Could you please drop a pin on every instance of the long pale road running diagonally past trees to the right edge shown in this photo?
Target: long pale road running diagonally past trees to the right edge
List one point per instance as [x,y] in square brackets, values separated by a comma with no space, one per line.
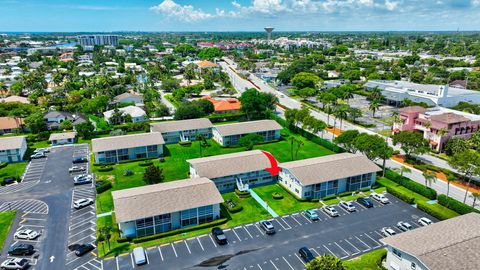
[440,186]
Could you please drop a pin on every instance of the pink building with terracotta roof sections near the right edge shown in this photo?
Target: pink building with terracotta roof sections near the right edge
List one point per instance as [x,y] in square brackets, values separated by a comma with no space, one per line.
[437,124]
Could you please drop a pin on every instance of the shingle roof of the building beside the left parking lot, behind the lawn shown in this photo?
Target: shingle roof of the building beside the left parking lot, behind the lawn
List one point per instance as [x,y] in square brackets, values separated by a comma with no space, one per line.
[126,141]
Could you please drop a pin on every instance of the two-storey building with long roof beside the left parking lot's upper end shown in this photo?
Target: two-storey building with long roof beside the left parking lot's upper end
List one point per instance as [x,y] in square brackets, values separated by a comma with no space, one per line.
[127,147]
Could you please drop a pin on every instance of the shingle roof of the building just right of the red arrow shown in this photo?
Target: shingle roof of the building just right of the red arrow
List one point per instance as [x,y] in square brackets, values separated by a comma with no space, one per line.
[322,169]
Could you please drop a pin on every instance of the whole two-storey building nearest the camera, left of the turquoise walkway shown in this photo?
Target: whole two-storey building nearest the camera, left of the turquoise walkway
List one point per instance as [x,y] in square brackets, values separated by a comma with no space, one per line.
[168,206]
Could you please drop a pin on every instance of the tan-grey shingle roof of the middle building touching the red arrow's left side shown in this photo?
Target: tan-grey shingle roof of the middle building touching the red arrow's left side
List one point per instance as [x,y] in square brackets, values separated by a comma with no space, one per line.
[230,164]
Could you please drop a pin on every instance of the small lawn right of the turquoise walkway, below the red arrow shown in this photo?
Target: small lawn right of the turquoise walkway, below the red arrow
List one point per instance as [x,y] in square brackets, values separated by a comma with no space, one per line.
[288,204]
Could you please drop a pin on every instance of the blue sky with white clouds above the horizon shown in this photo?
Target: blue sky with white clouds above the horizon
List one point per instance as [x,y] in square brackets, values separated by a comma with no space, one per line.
[238,15]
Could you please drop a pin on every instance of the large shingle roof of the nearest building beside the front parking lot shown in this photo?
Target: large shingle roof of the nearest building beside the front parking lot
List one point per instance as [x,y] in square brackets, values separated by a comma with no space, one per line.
[147,201]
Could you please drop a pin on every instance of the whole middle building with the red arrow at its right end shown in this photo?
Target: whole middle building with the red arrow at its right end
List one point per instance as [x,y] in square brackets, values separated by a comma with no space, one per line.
[236,170]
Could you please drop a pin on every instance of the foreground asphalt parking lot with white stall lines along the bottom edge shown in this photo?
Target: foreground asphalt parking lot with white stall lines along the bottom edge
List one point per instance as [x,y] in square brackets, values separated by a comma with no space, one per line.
[346,236]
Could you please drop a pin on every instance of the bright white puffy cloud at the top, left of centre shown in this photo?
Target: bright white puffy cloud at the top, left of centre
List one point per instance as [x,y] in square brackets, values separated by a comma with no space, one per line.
[185,13]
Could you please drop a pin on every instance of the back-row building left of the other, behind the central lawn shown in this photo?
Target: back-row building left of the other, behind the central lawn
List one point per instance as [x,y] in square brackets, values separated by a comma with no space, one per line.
[183,130]
